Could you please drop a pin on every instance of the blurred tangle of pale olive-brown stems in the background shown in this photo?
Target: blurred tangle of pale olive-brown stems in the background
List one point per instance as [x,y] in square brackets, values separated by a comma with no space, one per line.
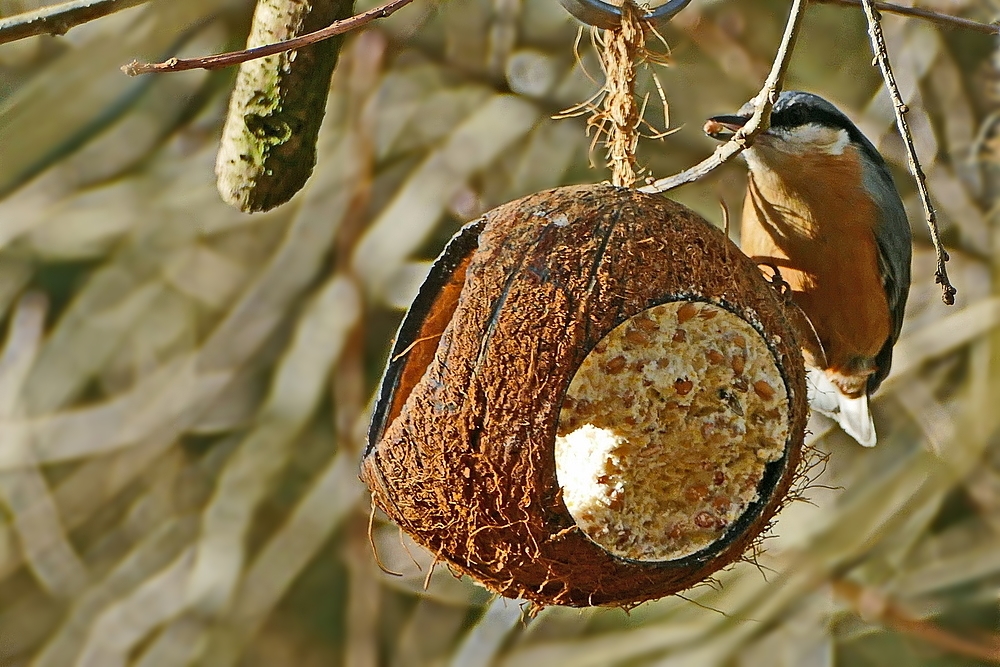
[184,389]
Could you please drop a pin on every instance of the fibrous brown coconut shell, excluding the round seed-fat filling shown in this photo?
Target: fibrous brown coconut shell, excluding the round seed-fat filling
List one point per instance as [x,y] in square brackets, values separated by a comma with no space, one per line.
[462,453]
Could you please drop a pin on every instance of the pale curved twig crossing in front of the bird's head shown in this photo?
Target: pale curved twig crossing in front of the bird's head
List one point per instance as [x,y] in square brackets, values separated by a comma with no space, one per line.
[759,121]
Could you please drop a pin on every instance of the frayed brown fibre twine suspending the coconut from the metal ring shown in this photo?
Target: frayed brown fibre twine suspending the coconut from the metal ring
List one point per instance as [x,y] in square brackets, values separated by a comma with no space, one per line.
[622,48]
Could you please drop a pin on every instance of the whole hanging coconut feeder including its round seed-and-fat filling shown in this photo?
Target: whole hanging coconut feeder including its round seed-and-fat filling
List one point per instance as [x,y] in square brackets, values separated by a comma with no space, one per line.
[595,399]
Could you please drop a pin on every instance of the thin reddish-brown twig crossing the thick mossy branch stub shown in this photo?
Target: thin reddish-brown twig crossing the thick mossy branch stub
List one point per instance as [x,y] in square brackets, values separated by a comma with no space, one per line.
[221,60]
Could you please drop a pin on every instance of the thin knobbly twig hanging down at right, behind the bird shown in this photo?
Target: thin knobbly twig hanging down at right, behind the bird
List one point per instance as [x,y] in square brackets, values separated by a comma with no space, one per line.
[882,56]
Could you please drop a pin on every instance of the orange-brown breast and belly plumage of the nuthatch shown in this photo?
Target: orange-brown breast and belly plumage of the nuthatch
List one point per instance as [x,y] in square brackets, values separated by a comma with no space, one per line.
[812,220]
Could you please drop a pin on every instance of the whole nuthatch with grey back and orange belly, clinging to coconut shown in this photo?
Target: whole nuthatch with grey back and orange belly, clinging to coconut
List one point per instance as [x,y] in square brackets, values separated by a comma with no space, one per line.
[822,210]
